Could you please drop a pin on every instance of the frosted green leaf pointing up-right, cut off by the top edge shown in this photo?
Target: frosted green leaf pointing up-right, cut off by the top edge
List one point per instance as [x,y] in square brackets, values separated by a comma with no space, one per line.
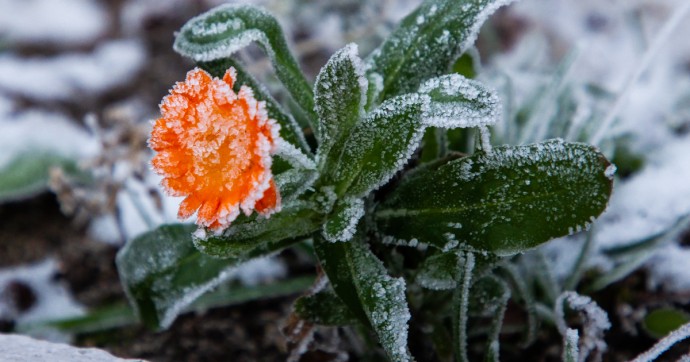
[427,42]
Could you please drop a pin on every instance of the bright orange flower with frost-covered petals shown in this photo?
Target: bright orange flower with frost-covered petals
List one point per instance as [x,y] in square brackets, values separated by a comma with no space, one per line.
[214,147]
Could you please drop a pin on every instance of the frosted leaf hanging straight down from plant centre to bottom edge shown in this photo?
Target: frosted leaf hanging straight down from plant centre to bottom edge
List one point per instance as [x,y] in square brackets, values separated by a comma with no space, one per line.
[361,281]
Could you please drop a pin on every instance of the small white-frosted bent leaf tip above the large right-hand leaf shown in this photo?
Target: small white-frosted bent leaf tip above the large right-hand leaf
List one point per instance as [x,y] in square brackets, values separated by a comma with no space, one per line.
[459,102]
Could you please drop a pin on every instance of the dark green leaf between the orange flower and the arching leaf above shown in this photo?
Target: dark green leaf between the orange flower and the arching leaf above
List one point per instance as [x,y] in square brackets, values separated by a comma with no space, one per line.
[289,129]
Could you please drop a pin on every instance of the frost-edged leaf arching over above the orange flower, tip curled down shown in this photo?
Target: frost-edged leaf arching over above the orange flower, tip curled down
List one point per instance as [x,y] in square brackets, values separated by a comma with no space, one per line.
[222,31]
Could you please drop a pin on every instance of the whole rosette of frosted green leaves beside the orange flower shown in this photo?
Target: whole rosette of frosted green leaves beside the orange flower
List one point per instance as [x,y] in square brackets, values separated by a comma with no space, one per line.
[397,220]
